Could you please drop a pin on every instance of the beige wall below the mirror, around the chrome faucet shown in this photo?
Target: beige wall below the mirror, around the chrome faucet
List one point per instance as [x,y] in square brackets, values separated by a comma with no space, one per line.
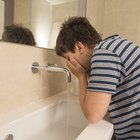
[18,85]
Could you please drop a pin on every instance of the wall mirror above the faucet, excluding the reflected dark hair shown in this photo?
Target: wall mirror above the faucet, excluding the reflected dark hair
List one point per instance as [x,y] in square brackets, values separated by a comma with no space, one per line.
[42,17]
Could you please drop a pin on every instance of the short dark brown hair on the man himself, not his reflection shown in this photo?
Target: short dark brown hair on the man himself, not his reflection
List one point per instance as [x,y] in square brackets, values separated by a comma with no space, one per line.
[73,30]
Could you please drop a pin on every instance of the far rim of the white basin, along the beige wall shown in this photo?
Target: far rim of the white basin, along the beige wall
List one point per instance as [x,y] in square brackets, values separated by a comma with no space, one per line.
[33,108]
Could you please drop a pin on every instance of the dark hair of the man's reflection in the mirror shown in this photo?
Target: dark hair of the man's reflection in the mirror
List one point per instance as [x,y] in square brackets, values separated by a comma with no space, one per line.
[18,34]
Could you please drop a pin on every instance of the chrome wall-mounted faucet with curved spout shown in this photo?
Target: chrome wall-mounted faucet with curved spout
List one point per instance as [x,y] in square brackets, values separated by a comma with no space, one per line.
[51,68]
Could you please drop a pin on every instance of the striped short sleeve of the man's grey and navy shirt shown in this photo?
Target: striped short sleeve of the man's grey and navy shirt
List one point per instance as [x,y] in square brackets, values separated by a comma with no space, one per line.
[105,72]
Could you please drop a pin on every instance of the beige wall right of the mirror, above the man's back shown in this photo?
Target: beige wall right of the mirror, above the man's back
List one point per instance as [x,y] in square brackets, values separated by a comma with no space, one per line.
[116,17]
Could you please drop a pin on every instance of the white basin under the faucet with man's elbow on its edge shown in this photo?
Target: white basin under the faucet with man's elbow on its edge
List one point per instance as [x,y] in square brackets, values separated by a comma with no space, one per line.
[56,118]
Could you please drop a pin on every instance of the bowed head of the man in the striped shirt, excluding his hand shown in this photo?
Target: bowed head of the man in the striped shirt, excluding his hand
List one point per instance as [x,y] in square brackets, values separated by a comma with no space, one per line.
[76,39]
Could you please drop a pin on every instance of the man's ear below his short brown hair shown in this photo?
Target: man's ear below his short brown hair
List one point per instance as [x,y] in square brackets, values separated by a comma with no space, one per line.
[79,47]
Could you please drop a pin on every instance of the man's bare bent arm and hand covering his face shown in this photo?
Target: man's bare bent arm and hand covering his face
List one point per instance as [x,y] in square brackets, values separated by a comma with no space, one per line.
[94,104]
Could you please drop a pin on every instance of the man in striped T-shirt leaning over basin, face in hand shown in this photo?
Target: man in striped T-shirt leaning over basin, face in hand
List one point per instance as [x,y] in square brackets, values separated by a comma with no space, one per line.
[109,75]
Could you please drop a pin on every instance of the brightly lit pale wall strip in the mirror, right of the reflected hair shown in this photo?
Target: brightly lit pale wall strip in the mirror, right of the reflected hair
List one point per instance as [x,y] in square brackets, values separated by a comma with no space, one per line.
[41,22]
